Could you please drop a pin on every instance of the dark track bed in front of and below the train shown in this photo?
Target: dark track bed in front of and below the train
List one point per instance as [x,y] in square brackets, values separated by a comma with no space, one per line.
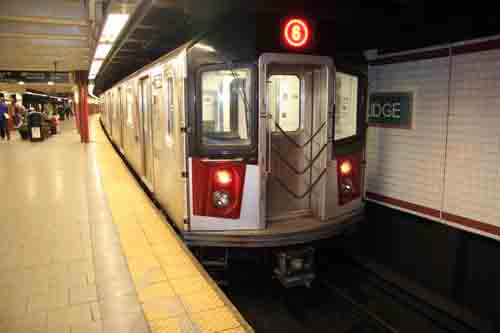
[345,298]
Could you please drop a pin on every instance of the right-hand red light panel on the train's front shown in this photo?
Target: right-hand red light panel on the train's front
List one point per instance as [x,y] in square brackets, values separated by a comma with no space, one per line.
[349,178]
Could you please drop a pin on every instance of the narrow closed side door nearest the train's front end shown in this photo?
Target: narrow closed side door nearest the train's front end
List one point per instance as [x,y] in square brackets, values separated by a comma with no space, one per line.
[147,133]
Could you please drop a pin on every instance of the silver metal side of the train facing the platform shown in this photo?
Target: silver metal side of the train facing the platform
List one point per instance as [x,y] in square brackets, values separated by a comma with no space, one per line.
[122,117]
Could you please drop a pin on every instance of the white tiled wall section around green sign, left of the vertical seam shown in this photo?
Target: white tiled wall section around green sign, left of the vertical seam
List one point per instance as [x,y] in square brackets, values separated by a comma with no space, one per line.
[408,164]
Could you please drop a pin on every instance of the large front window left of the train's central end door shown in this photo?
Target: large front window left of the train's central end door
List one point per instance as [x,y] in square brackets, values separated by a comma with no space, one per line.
[225,107]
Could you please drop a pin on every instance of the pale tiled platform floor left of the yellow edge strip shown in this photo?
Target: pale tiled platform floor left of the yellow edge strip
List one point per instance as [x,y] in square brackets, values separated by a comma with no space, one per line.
[60,268]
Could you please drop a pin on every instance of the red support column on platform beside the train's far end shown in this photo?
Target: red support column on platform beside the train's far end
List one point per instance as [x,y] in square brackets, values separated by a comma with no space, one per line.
[81,107]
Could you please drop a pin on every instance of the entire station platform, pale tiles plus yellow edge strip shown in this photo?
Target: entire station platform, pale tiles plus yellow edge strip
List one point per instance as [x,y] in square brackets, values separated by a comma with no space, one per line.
[84,249]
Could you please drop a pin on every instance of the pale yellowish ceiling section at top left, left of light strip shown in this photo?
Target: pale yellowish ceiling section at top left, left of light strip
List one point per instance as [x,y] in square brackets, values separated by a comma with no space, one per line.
[34,34]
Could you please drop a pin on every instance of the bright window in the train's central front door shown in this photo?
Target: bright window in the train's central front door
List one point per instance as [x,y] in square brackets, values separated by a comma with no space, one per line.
[284,102]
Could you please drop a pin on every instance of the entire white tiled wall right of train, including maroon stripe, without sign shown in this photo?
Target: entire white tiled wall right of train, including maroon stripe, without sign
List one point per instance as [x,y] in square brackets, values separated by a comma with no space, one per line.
[446,166]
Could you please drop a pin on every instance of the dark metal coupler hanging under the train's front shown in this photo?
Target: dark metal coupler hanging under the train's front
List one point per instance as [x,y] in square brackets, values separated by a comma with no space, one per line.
[295,266]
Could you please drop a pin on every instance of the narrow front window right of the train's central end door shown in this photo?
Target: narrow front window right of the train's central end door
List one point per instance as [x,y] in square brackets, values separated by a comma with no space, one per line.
[346,96]
